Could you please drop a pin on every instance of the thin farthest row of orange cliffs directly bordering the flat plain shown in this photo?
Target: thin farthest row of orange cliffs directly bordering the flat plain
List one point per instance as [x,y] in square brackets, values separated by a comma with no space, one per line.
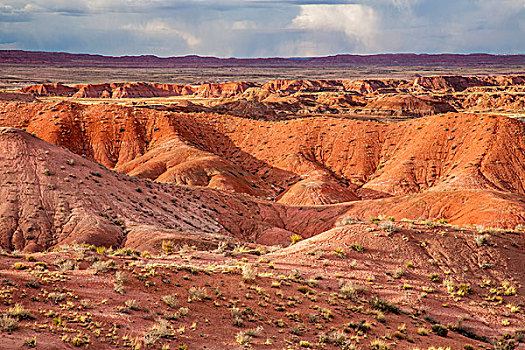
[251,90]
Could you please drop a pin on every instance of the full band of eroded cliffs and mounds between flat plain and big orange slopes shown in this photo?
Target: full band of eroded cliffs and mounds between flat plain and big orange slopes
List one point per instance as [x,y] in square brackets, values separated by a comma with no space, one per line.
[282,99]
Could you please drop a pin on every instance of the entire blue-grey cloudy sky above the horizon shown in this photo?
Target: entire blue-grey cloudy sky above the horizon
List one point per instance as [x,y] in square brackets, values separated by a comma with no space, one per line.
[263,28]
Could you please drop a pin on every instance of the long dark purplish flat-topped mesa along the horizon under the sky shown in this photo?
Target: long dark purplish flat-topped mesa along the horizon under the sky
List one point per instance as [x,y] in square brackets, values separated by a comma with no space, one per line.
[76,60]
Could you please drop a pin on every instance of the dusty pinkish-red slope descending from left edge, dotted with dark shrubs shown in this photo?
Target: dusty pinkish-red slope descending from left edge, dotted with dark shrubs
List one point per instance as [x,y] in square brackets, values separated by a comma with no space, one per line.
[53,196]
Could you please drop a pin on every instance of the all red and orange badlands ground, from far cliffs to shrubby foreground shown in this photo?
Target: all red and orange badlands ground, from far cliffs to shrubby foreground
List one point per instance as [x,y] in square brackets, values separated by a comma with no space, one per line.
[153,179]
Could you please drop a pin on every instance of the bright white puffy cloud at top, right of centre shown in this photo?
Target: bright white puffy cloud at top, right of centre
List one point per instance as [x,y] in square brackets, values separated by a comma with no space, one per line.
[357,22]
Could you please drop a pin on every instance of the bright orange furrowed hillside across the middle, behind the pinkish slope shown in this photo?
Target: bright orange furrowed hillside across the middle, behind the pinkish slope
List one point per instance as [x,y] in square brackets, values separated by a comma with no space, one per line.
[429,156]
